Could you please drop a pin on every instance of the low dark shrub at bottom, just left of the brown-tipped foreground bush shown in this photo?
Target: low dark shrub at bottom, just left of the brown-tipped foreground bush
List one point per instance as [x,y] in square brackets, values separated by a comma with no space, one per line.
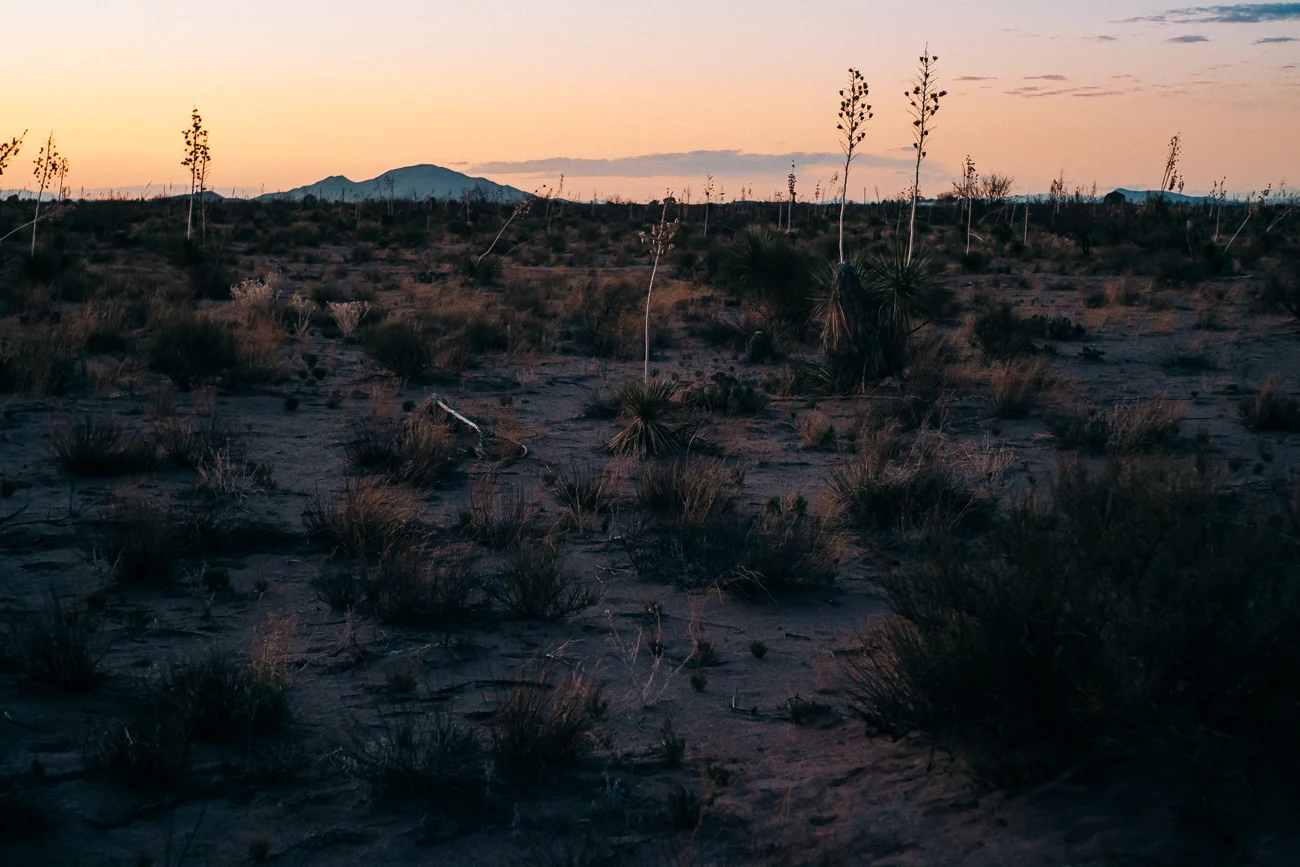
[427,756]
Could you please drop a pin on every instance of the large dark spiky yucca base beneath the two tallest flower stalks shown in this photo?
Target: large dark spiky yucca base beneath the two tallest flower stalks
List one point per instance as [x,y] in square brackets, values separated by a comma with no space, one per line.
[872,309]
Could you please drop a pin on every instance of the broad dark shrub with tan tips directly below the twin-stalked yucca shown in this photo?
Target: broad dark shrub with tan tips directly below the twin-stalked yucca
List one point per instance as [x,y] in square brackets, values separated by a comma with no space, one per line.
[921,488]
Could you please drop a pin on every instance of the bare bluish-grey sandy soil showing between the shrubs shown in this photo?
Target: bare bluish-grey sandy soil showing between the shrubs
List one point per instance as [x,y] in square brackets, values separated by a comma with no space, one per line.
[777,792]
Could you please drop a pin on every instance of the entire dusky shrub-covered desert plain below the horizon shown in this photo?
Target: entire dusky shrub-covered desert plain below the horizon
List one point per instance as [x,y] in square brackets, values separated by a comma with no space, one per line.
[327,541]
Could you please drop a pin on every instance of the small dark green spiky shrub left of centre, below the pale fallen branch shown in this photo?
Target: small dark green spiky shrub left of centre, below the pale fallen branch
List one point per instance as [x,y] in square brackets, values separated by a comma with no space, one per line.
[532,583]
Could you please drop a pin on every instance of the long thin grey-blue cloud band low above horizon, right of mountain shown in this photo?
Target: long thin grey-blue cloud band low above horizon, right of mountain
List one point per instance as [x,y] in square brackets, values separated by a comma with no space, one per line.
[651,166]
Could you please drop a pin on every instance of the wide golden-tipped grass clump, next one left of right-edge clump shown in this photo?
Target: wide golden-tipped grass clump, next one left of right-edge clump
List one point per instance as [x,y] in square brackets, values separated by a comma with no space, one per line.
[1126,430]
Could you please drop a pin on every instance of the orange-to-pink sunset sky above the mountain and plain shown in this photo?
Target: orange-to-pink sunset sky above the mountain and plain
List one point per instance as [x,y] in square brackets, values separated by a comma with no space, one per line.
[632,98]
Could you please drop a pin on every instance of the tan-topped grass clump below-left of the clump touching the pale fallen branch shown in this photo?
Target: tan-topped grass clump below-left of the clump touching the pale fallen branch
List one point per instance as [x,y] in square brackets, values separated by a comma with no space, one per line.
[365,519]
